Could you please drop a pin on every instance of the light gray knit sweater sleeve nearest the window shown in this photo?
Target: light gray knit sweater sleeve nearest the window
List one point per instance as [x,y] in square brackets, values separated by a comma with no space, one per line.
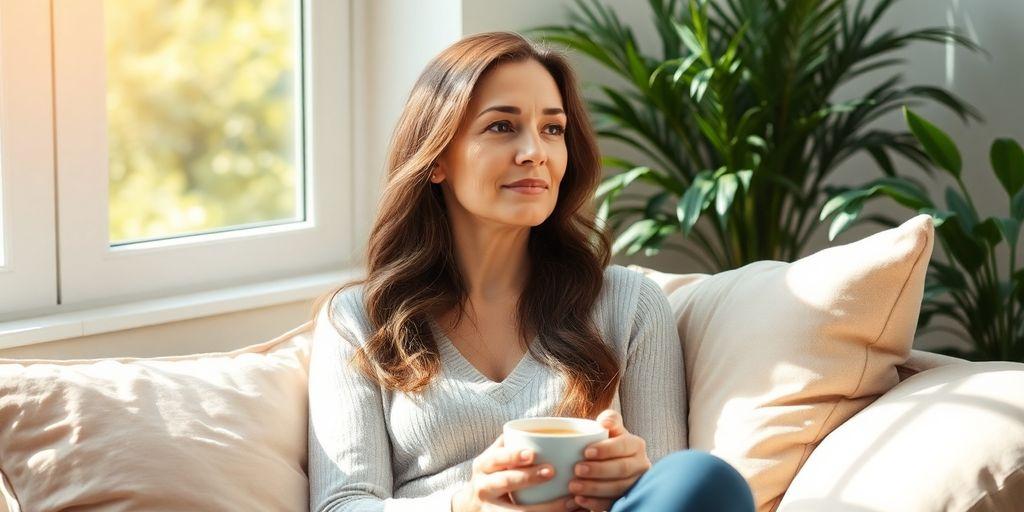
[350,452]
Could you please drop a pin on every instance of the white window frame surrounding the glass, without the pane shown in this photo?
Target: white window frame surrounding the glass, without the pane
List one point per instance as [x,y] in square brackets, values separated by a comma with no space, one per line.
[93,274]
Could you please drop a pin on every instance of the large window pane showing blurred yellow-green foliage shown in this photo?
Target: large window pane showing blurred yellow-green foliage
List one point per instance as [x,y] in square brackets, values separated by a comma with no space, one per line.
[204,116]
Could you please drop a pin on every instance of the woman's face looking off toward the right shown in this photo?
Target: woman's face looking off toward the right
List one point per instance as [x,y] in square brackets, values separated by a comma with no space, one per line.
[508,158]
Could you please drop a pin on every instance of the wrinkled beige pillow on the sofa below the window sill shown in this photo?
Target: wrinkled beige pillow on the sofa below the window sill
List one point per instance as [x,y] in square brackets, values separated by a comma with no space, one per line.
[215,432]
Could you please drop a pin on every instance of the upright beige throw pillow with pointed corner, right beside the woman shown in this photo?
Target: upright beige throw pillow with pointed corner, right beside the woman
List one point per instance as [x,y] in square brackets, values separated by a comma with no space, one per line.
[780,355]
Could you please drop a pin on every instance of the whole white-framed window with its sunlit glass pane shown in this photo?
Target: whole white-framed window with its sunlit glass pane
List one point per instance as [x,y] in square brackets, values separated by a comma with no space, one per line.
[193,145]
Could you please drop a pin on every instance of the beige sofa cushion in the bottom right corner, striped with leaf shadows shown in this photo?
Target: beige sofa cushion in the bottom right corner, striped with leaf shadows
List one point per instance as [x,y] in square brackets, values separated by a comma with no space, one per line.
[951,439]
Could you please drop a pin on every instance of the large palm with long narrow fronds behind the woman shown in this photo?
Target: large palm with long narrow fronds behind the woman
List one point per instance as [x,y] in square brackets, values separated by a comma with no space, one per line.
[737,119]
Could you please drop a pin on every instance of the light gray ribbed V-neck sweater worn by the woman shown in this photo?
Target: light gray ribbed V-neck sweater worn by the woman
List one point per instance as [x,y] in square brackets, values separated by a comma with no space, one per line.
[373,450]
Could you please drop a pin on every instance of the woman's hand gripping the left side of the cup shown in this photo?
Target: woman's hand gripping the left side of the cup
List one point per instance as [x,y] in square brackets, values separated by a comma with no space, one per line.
[500,471]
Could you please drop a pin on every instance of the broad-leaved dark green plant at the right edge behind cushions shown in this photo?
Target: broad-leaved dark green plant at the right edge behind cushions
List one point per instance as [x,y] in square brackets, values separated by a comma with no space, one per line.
[968,288]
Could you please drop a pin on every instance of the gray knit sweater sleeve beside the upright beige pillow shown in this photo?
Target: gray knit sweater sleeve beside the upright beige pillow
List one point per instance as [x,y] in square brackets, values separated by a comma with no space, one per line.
[653,392]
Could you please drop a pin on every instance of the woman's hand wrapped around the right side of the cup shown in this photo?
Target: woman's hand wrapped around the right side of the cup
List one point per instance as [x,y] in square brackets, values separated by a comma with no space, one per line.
[612,466]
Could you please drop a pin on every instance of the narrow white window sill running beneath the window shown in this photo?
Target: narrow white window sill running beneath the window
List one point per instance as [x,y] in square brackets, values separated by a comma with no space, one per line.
[163,311]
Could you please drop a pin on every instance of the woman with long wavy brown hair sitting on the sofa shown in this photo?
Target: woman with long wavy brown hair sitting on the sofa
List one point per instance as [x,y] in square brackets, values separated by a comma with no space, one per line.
[489,297]
